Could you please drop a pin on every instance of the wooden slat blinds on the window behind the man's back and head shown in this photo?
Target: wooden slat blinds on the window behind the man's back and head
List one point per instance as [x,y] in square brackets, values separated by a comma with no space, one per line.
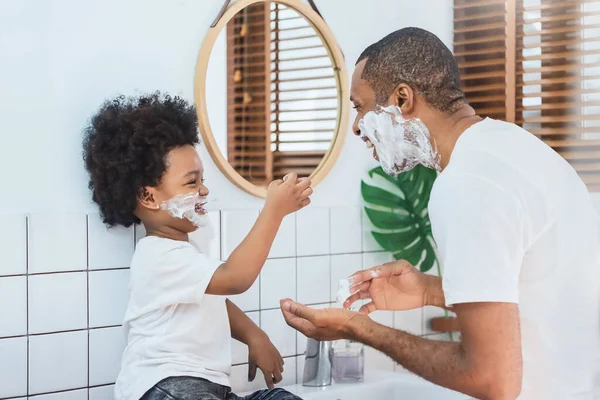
[536,63]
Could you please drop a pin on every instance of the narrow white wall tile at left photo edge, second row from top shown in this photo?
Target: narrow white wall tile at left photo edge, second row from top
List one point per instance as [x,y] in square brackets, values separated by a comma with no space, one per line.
[13,295]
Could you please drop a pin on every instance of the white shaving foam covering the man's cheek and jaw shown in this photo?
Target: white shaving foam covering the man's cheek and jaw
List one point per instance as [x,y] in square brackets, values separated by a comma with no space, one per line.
[400,143]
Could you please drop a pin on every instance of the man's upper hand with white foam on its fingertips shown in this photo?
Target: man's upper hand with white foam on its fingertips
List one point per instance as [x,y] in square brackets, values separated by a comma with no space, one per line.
[394,286]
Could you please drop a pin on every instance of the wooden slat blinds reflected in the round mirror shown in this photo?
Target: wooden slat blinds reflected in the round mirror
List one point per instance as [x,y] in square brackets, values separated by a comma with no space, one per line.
[283,107]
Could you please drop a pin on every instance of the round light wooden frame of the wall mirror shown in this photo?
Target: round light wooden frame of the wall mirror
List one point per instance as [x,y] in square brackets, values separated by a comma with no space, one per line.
[339,67]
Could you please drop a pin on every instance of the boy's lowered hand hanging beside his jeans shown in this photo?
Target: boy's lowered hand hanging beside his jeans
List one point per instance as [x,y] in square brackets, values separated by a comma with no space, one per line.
[264,355]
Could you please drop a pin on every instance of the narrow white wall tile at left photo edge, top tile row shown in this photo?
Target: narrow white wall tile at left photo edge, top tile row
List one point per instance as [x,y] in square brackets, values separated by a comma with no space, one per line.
[13,245]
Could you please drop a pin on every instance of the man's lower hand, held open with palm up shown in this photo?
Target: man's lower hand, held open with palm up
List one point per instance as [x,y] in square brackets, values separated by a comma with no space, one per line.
[325,325]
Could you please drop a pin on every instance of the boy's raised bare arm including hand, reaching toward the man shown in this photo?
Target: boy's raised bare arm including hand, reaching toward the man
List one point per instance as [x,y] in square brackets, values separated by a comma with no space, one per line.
[240,271]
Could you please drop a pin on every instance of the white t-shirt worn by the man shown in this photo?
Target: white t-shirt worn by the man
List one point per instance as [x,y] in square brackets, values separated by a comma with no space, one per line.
[514,223]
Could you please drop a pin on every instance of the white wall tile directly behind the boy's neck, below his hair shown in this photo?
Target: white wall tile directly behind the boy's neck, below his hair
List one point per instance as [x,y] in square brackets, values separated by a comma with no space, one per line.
[108,247]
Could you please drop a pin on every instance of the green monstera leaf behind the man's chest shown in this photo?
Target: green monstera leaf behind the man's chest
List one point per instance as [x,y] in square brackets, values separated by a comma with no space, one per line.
[397,208]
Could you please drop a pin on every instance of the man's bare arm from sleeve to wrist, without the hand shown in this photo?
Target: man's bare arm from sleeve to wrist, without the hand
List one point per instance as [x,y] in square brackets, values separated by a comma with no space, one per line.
[486,364]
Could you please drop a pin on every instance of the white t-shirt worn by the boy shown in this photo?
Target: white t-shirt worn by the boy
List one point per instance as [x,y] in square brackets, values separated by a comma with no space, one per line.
[173,328]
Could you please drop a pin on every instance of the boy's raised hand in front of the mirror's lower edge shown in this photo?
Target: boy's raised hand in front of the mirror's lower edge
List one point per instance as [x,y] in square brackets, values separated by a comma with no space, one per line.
[288,195]
